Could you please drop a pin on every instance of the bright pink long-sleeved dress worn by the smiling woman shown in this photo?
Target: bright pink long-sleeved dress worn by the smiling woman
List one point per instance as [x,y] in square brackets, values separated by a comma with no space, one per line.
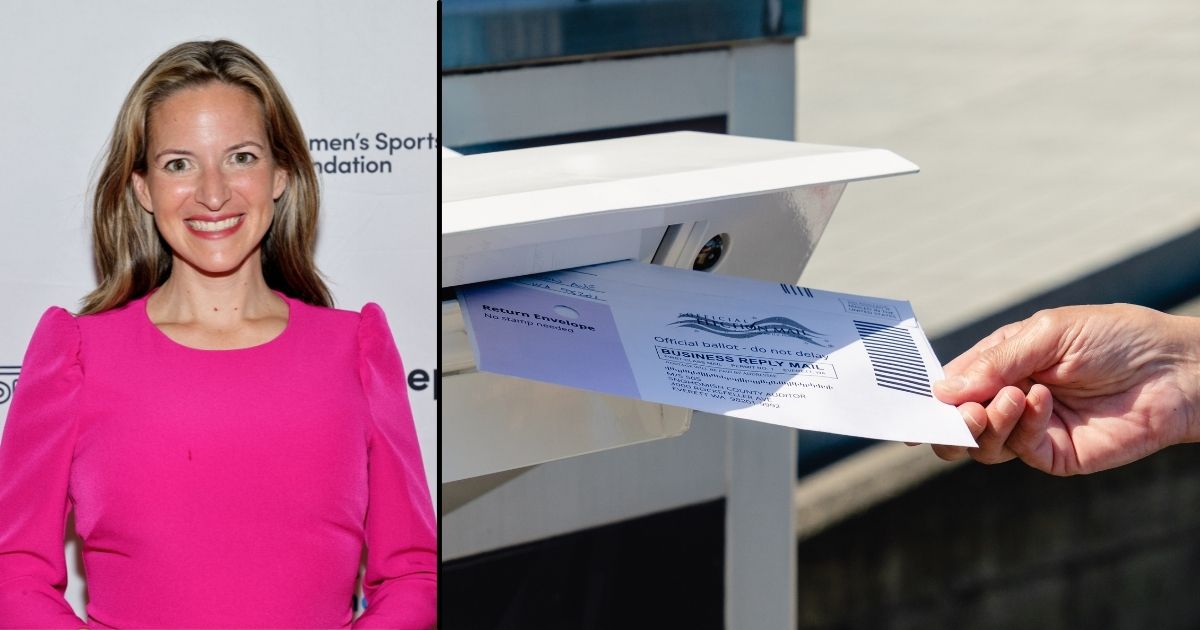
[215,489]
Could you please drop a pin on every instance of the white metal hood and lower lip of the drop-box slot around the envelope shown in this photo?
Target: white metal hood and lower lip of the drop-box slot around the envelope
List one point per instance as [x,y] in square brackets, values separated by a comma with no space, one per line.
[745,207]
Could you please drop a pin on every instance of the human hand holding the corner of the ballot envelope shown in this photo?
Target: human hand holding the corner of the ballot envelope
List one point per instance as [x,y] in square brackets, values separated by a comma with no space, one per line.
[1078,389]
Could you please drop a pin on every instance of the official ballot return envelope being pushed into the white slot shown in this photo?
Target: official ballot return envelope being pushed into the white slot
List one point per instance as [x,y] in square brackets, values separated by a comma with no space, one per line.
[775,353]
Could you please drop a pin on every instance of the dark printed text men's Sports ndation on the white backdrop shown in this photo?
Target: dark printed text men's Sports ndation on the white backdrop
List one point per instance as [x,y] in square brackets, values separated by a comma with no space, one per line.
[365,154]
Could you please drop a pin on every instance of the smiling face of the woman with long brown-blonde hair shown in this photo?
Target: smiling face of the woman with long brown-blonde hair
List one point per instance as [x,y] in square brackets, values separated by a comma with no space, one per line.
[211,178]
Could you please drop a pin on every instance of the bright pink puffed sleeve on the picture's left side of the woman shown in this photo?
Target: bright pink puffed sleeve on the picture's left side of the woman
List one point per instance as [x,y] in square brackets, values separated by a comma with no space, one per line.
[35,463]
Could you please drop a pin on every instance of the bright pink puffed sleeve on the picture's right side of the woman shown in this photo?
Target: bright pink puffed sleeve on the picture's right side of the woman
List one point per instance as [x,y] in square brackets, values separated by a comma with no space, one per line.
[401,585]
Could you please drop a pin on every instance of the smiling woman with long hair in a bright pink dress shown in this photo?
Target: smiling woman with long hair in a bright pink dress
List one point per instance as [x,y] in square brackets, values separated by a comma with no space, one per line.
[209,487]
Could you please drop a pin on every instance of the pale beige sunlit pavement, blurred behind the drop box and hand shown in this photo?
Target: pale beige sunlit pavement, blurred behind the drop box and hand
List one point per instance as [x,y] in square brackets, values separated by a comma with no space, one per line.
[1054,140]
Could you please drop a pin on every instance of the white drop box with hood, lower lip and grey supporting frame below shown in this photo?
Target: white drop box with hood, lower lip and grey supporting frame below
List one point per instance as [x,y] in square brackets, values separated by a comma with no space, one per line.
[525,461]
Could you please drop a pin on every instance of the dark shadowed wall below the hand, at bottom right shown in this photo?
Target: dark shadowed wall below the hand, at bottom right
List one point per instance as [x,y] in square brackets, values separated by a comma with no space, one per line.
[1009,548]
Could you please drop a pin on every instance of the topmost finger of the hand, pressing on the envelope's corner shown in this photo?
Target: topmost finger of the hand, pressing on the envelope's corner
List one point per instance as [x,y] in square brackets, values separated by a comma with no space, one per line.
[1031,350]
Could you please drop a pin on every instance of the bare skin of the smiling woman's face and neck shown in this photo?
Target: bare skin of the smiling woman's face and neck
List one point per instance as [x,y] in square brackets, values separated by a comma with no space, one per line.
[212,182]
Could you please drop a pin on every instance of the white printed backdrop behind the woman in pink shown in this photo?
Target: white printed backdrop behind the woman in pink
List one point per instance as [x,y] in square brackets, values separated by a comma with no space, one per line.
[363,71]
